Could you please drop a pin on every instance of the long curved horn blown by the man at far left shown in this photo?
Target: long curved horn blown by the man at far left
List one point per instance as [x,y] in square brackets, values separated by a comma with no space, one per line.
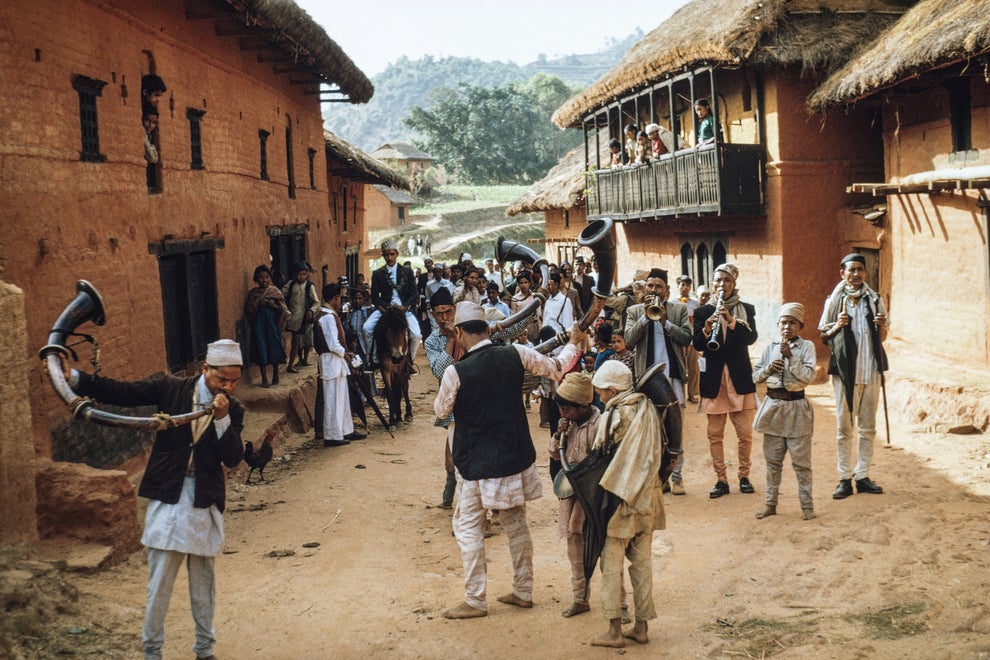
[88,306]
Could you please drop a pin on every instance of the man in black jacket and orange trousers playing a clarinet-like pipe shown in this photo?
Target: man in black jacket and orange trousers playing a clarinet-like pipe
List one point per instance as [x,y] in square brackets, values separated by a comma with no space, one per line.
[723,332]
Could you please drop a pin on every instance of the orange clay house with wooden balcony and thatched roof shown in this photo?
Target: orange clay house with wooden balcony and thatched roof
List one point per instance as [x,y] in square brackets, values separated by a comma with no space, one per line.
[769,193]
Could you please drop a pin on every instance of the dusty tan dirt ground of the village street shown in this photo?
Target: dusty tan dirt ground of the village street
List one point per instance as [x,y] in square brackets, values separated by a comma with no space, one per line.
[342,553]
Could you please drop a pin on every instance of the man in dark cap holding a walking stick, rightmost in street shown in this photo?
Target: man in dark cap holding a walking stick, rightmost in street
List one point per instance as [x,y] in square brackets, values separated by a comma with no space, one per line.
[854,325]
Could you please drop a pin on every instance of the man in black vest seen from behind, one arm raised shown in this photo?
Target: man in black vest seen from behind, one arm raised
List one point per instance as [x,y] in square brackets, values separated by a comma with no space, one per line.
[493,451]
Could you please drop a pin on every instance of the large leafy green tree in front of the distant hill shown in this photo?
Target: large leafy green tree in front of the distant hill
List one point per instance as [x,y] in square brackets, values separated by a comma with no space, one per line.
[498,134]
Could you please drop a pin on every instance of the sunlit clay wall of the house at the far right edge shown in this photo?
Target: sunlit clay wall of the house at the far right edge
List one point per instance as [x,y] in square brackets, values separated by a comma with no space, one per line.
[939,240]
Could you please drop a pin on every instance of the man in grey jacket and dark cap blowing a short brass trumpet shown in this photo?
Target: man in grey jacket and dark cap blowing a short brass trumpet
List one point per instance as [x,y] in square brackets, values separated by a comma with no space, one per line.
[658,330]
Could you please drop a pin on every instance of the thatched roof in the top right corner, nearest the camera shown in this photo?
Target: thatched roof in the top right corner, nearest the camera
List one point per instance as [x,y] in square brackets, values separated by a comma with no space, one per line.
[932,35]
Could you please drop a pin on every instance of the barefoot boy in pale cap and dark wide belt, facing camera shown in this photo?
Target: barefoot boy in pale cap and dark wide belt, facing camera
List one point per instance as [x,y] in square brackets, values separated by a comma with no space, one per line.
[785,418]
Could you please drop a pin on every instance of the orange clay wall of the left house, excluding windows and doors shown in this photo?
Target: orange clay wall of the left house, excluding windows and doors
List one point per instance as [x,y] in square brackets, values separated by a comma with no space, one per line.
[65,219]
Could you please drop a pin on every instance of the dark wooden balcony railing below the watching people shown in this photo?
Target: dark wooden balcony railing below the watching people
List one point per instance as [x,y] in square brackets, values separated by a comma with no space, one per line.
[724,180]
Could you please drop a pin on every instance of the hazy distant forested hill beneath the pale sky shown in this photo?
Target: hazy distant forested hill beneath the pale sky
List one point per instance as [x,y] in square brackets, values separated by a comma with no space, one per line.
[407,83]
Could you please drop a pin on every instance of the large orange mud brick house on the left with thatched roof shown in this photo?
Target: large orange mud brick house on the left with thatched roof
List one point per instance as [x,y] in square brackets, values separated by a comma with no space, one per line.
[168,225]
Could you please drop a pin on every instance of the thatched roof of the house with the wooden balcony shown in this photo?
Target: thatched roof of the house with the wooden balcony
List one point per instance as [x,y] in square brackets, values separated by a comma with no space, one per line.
[817,35]
